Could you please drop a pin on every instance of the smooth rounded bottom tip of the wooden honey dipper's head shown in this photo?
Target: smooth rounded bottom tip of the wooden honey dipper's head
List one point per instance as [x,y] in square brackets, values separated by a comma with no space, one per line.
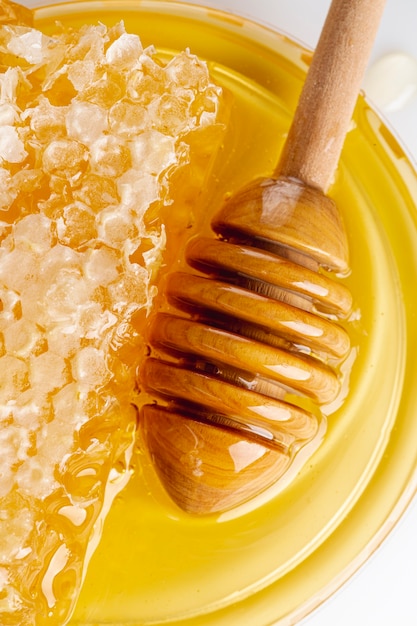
[202,472]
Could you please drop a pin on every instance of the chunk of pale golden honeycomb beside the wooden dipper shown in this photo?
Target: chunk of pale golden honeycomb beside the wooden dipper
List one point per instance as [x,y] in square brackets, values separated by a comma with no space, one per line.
[93,130]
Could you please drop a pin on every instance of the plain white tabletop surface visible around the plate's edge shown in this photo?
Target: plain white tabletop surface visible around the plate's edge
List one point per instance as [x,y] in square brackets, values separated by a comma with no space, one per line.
[383,592]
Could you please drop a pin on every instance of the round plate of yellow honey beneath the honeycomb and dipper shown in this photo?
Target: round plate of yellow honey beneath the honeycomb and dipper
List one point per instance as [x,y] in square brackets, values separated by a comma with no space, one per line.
[281,559]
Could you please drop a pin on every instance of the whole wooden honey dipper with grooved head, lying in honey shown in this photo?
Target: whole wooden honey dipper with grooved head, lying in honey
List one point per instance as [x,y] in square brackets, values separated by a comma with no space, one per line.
[254,331]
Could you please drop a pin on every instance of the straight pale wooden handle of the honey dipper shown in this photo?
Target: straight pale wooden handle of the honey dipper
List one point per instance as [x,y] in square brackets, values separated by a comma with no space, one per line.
[329,95]
